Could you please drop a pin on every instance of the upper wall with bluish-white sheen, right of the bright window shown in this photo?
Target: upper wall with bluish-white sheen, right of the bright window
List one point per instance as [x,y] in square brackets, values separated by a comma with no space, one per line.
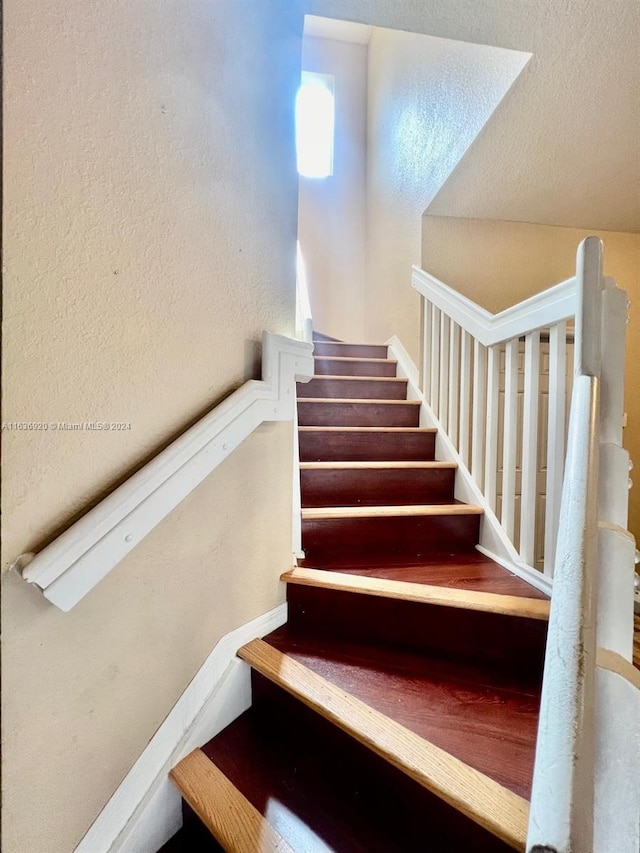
[427,100]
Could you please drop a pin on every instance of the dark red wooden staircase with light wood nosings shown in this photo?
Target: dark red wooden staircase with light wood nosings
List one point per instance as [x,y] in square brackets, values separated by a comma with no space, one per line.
[397,709]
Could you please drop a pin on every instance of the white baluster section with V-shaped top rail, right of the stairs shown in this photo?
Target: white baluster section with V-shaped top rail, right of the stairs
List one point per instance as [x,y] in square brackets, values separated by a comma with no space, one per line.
[481,377]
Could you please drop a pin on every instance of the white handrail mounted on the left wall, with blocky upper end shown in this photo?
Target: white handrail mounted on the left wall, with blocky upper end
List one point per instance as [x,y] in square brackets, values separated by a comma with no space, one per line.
[68,568]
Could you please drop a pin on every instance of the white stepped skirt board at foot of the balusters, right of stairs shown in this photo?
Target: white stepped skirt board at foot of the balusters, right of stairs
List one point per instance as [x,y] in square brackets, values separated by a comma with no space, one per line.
[494,542]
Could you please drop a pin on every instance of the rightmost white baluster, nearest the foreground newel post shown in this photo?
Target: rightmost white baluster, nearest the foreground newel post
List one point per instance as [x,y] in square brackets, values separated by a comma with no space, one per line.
[555,440]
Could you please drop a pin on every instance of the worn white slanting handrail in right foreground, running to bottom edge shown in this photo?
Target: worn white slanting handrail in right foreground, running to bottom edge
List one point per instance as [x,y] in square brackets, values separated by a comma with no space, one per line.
[561,816]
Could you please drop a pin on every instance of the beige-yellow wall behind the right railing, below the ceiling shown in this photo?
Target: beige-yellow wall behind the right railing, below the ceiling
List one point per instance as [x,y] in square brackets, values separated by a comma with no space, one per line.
[497,264]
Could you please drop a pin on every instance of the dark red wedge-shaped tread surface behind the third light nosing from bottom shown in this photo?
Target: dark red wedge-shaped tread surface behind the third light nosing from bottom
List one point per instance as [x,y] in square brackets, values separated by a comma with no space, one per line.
[472,571]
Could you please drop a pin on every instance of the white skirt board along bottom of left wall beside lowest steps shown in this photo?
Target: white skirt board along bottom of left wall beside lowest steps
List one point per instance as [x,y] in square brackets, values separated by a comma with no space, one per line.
[145,810]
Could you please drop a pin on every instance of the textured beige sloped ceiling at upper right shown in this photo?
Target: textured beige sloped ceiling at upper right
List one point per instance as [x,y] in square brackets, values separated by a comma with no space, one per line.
[564,146]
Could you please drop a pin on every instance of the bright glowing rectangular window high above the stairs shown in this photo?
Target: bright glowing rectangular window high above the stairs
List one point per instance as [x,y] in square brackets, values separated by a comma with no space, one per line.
[314,125]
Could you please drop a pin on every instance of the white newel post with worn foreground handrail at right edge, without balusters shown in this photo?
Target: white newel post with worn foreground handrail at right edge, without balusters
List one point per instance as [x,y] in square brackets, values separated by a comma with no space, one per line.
[586,787]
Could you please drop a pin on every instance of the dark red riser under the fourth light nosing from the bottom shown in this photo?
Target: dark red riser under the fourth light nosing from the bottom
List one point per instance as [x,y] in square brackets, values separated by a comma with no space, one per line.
[415,535]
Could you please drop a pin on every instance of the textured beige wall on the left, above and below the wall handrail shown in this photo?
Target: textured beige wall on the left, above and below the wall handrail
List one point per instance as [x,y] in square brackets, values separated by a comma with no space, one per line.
[149,234]
